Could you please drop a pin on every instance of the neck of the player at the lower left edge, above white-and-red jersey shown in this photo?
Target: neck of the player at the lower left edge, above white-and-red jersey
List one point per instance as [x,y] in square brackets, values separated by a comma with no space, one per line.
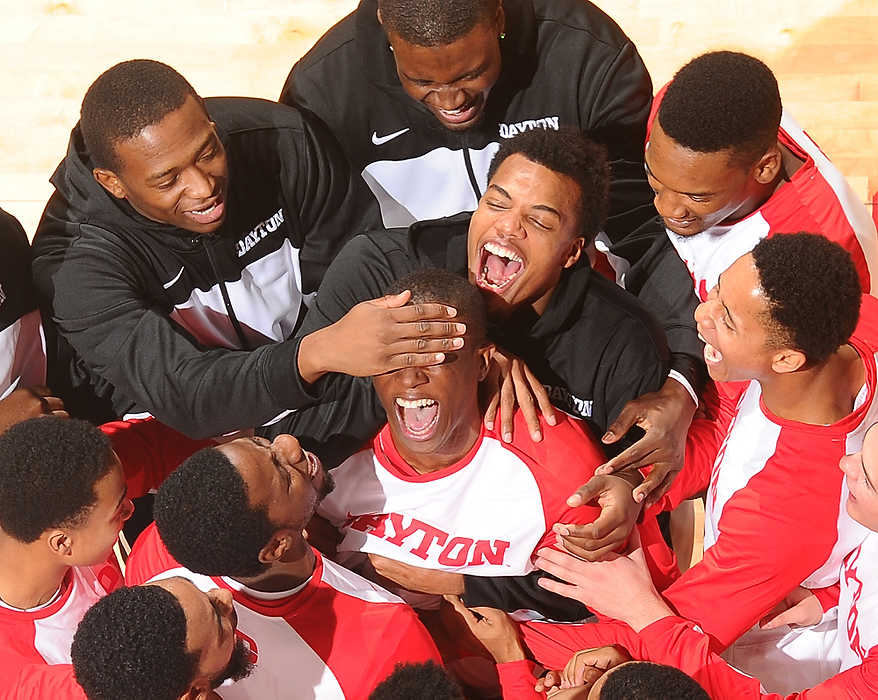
[27,579]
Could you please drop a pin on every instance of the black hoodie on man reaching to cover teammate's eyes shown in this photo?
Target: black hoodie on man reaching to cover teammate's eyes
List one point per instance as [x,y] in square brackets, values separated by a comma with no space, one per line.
[194,329]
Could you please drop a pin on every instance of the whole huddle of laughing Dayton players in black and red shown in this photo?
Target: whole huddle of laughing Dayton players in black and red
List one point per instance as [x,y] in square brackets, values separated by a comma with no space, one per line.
[415,363]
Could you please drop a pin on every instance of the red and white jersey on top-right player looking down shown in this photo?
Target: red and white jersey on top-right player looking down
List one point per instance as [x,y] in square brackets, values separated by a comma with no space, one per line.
[816,199]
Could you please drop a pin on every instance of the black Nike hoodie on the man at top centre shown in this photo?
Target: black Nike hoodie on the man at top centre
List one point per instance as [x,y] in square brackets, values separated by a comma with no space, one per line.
[565,63]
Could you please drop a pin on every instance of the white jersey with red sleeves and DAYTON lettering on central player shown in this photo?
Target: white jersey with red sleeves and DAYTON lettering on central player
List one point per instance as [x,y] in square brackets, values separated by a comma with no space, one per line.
[484,515]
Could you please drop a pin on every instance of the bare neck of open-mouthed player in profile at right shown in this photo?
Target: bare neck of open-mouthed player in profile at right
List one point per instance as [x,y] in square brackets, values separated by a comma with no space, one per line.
[820,395]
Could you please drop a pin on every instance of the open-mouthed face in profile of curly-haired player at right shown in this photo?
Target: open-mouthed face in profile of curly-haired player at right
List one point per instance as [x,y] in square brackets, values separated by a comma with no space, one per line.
[733,324]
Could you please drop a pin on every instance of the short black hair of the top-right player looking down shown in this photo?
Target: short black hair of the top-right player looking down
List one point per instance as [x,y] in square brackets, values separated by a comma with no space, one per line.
[723,100]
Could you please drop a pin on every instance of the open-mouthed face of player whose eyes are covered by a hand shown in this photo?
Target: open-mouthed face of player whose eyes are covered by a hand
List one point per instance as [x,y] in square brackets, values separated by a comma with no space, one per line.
[433,412]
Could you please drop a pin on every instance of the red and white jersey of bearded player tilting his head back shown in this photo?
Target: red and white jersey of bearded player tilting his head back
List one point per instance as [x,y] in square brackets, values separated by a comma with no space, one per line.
[337,636]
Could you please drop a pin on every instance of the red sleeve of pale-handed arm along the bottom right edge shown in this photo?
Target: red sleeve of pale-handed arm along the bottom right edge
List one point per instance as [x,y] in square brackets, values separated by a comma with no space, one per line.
[676,642]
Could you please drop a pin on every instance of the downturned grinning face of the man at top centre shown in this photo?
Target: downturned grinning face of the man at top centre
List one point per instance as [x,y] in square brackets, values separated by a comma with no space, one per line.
[452,80]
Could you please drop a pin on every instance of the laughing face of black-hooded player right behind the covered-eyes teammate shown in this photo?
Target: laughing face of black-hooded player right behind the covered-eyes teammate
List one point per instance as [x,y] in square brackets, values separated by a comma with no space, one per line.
[523,234]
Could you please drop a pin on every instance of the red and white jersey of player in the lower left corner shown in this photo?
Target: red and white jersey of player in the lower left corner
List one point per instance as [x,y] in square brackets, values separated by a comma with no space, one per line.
[35,644]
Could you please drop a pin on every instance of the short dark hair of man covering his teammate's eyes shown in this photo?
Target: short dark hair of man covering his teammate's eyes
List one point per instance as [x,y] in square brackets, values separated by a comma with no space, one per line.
[126,99]
